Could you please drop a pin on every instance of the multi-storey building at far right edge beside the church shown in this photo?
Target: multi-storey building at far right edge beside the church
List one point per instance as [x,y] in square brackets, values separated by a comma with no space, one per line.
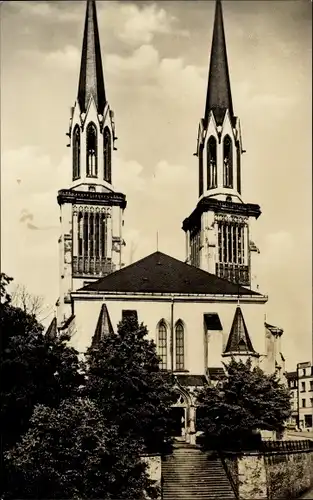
[300,383]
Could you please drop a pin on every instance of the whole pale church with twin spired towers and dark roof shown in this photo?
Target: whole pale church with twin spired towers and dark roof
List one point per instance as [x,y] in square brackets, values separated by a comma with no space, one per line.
[200,312]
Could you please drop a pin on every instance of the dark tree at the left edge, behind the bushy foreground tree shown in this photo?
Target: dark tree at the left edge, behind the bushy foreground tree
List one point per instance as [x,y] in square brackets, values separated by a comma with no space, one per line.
[33,369]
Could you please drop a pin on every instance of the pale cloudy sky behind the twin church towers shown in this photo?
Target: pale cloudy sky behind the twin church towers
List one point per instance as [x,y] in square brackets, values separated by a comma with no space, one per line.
[155,57]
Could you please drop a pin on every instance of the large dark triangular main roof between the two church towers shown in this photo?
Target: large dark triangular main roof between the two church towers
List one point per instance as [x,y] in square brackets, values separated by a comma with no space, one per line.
[160,273]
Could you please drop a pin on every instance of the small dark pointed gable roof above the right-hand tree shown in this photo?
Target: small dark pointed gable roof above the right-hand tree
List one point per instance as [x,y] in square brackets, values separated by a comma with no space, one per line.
[239,338]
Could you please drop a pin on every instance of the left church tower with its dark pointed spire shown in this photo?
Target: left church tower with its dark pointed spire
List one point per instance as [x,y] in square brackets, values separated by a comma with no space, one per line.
[91,215]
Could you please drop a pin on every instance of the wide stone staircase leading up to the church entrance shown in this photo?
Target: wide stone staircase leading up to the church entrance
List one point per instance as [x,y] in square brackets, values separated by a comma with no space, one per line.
[189,474]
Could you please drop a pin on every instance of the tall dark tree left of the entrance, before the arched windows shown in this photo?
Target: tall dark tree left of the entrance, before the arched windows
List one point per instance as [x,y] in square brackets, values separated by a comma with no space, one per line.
[125,381]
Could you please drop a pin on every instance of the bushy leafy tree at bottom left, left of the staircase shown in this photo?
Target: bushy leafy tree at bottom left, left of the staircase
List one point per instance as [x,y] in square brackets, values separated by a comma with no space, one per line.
[71,452]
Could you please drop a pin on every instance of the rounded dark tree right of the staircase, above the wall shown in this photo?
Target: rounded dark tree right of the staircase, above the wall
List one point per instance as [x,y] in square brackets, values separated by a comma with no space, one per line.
[246,401]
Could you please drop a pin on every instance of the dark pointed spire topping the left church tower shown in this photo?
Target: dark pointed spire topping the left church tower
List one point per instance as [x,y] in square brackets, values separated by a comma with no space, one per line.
[91,81]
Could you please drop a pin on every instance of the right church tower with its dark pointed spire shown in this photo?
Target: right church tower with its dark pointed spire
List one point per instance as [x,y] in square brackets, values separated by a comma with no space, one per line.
[217,231]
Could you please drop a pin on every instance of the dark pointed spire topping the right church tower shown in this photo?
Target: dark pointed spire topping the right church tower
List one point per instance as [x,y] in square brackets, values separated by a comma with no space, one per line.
[218,94]
